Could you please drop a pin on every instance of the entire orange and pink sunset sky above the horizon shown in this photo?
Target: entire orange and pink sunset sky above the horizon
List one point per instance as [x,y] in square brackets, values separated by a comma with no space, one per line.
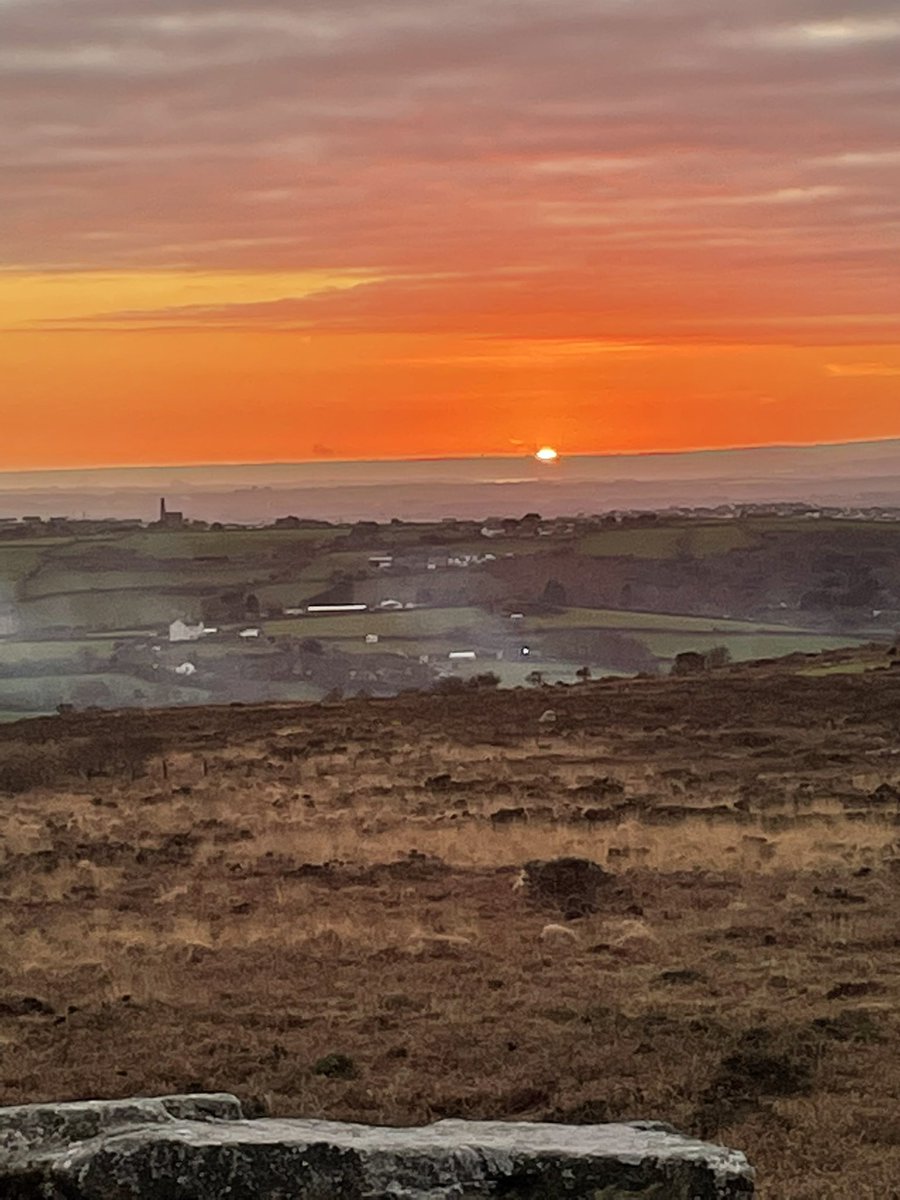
[387,229]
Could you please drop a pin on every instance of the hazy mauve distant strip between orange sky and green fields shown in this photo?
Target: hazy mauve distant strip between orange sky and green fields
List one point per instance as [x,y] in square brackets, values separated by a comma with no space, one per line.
[861,473]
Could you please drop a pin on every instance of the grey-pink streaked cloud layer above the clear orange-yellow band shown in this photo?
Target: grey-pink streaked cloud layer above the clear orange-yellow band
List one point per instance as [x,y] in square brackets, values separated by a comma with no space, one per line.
[631,166]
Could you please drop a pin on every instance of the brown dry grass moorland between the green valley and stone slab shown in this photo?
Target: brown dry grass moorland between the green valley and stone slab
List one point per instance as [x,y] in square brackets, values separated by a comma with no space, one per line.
[173,916]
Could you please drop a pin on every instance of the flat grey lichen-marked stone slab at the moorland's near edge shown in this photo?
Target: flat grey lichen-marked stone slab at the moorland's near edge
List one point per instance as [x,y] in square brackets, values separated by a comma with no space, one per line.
[200,1148]
